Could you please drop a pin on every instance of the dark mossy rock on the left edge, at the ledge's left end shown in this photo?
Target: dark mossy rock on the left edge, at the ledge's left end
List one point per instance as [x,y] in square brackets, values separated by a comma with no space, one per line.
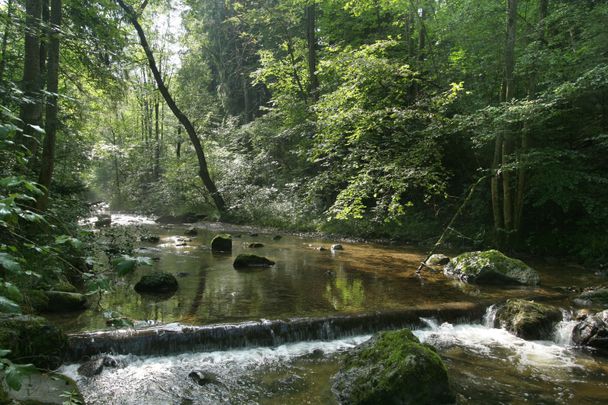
[32,339]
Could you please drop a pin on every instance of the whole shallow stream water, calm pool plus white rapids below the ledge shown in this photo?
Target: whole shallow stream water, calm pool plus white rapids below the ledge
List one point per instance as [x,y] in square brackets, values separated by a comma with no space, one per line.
[365,284]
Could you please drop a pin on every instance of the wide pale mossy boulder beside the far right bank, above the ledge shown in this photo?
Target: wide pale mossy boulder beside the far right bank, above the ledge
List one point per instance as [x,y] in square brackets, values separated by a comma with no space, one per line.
[490,267]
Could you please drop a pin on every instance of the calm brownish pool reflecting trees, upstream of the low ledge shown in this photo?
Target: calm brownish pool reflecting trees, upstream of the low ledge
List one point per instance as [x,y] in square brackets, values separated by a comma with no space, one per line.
[304,282]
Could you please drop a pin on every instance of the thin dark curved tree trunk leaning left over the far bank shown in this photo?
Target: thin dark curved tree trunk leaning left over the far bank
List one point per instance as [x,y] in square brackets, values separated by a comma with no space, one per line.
[181,117]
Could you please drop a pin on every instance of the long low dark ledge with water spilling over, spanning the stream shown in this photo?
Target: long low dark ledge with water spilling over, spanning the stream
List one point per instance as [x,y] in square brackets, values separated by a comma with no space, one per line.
[176,338]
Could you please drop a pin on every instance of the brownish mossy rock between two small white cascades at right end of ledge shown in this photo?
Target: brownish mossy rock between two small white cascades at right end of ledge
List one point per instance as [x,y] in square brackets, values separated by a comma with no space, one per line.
[528,319]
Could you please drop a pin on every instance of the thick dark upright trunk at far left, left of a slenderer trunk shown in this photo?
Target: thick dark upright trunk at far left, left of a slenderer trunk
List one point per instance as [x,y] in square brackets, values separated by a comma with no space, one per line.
[31,108]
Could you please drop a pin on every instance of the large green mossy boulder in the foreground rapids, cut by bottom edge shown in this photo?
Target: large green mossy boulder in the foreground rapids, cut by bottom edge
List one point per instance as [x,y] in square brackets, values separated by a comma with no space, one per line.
[393,368]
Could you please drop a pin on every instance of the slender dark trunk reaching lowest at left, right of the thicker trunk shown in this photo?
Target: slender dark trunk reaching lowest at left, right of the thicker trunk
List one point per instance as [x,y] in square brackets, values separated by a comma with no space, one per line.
[52,107]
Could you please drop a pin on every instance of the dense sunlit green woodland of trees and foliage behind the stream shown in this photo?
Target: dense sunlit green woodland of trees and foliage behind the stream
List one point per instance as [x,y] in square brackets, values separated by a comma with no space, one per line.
[374,119]
